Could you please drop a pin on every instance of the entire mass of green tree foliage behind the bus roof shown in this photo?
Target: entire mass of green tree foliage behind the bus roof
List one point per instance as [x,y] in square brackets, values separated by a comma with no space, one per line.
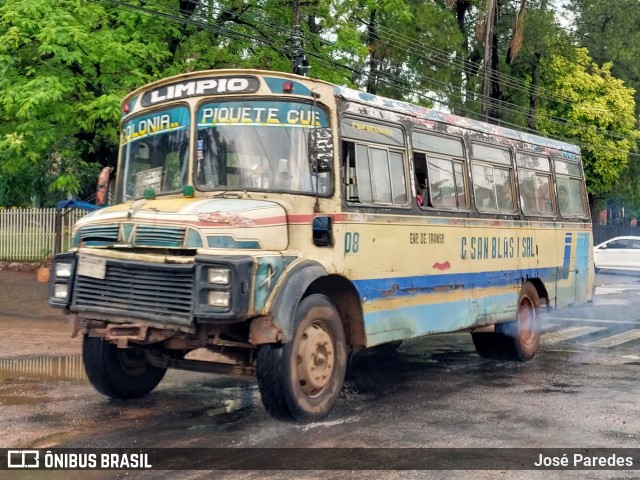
[65,65]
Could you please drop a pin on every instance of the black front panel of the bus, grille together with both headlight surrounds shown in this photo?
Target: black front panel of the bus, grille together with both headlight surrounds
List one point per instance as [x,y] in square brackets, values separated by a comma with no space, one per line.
[169,294]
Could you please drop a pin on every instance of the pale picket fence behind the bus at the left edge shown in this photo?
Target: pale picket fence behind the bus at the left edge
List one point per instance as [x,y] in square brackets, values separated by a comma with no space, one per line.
[29,234]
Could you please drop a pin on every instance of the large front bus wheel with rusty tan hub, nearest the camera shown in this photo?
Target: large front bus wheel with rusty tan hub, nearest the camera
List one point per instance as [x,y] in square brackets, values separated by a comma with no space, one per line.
[302,379]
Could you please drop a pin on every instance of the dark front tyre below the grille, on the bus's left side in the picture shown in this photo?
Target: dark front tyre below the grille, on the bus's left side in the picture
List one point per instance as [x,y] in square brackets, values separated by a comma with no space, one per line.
[121,373]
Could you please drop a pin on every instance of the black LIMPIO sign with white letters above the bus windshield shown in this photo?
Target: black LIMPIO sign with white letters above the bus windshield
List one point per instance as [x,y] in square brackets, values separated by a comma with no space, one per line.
[200,87]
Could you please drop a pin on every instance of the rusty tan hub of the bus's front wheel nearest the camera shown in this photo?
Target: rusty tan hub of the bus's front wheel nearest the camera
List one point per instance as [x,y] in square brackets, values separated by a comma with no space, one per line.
[315,359]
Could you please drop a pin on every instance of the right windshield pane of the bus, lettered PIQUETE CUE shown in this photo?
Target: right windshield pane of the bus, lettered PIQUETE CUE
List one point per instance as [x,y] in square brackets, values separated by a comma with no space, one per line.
[257,145]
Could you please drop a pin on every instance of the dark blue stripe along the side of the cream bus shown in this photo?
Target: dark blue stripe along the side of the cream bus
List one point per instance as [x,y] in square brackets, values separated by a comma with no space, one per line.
[380,288]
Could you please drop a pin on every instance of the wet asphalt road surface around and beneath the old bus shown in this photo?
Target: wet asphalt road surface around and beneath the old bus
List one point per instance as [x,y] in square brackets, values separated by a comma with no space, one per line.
[581,390]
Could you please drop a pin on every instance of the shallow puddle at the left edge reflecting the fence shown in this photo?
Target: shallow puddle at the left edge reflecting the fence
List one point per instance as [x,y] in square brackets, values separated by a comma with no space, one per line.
[67,367]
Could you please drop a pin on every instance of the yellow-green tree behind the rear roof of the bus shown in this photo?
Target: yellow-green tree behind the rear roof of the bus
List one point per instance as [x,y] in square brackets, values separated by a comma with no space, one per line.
[596,111]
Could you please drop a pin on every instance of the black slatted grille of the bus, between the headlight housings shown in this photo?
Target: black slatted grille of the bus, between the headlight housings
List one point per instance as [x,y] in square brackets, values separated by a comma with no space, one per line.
[155,292]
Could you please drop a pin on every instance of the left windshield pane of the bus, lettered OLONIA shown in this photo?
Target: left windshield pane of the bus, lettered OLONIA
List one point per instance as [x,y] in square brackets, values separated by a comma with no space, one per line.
[155,151]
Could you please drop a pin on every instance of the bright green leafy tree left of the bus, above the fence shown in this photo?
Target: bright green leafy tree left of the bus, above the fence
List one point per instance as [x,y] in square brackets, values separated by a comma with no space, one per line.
[63,71]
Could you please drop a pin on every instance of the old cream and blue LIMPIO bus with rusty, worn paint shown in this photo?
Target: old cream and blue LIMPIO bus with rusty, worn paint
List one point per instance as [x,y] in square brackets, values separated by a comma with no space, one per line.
[273,225]
